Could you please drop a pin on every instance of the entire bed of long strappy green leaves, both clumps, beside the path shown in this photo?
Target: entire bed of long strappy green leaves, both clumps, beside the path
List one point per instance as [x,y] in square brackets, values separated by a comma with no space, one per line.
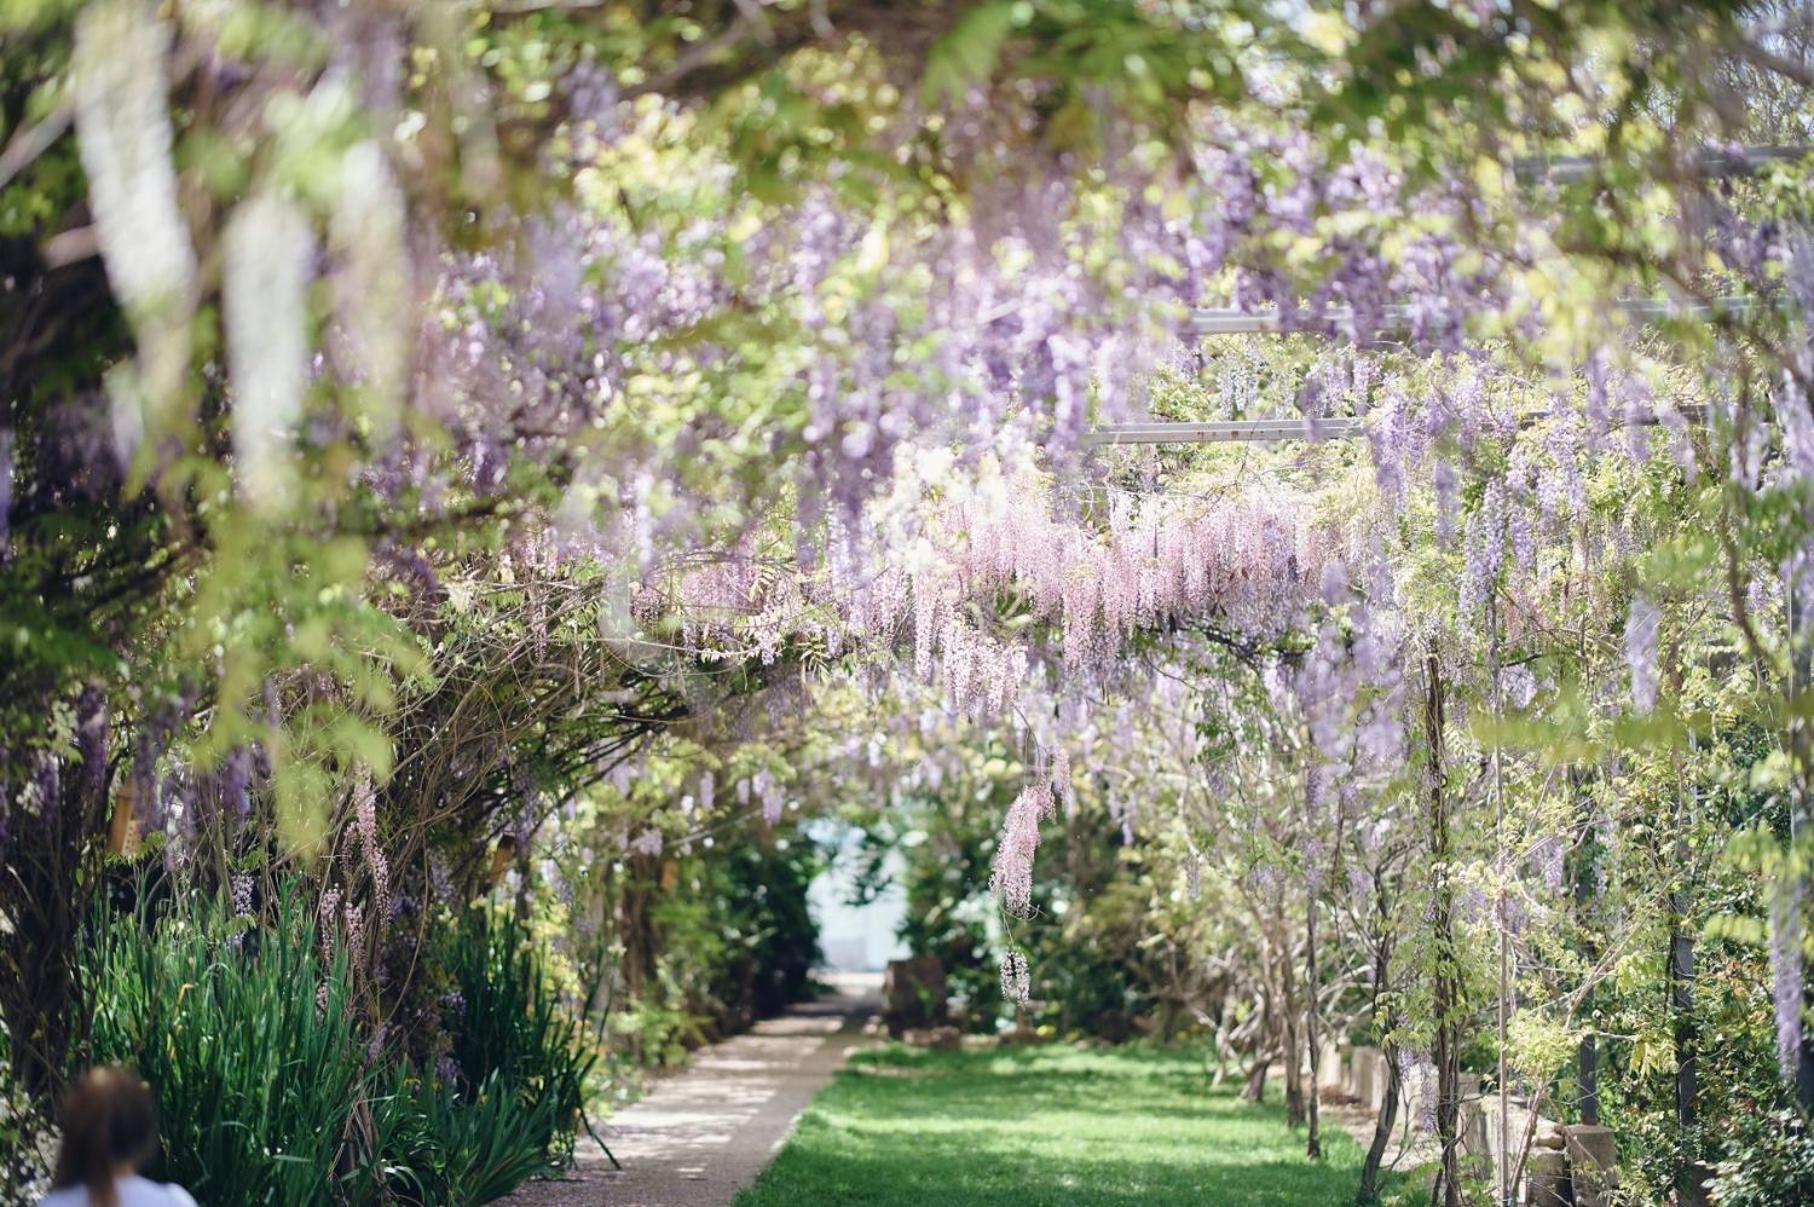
[269,1092]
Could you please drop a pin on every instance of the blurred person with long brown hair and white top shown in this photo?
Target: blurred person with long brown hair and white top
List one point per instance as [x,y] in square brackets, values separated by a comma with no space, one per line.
[110,1130]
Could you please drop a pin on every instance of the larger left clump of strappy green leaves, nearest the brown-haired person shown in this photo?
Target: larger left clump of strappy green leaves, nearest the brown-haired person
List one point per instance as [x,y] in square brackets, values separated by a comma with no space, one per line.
[249,1045]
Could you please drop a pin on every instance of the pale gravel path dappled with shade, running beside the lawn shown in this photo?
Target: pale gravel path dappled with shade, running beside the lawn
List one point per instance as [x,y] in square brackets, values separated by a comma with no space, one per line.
[707,1133]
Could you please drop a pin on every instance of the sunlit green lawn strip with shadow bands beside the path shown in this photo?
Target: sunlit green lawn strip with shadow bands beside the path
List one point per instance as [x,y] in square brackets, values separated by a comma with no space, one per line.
[1046,1126]
